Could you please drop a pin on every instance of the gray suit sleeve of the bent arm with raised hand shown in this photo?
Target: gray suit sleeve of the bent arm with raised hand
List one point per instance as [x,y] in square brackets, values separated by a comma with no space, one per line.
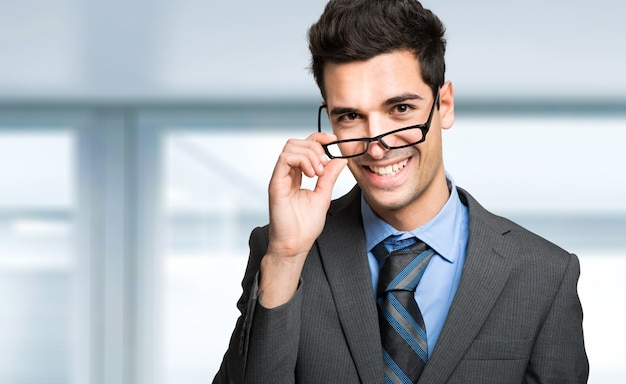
[263,347]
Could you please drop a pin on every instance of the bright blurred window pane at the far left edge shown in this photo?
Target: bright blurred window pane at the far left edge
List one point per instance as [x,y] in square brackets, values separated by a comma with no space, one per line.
[39,267]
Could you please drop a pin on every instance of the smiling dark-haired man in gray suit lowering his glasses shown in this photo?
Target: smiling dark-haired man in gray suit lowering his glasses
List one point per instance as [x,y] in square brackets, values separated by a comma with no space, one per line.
[495,304]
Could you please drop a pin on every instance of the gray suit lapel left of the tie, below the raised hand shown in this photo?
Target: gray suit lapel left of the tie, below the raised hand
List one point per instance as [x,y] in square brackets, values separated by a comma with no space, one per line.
[343,255]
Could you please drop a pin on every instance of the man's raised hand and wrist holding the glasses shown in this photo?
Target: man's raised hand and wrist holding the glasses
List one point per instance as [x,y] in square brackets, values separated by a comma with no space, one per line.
[297,215]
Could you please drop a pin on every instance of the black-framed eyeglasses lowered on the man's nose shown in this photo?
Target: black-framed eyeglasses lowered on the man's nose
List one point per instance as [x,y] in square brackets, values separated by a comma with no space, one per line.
[396,139]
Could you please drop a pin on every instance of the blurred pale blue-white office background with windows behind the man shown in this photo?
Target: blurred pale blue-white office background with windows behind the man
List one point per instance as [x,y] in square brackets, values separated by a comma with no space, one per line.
[137,139]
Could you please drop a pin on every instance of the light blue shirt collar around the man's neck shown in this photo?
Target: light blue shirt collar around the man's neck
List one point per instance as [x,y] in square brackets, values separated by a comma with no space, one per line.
[439,233]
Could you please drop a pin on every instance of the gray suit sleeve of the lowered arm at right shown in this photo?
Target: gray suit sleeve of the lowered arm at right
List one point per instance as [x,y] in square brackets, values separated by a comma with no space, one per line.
[559,353]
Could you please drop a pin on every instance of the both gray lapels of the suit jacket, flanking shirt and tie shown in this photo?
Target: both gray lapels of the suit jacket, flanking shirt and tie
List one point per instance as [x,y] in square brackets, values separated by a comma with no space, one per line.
[343,254]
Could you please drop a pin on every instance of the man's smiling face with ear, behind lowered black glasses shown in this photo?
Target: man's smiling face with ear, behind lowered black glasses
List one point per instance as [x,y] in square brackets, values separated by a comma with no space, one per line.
[369,98]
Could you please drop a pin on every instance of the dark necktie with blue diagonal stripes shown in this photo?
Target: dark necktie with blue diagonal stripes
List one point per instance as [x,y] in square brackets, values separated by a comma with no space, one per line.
[403,334]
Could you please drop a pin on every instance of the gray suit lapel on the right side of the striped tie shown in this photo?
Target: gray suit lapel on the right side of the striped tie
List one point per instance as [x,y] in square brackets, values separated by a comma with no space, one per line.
[485,273]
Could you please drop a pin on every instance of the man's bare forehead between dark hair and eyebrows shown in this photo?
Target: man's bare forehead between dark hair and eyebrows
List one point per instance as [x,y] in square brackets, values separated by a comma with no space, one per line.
[370,82]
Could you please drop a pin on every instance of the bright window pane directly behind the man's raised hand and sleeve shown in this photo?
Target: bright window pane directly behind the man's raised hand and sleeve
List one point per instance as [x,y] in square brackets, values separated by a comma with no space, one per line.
[211,192]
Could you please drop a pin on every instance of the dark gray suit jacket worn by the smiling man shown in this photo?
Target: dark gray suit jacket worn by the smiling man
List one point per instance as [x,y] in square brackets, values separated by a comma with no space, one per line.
[516,316]
